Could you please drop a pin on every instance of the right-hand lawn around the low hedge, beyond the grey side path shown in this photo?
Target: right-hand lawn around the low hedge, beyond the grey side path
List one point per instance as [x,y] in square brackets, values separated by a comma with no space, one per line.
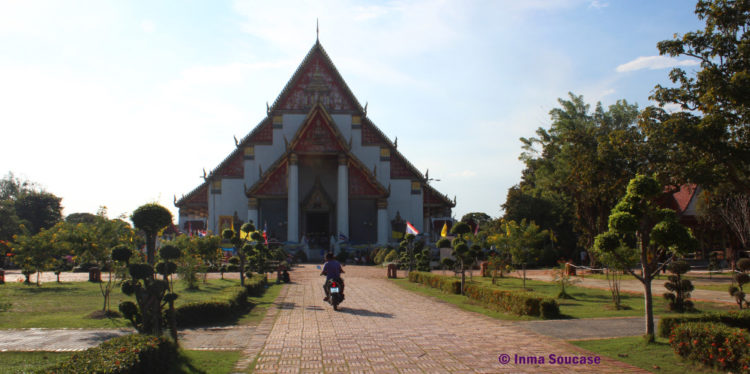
[587,302]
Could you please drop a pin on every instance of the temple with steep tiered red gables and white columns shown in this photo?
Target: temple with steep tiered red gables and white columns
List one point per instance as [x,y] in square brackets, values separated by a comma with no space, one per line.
[316,169]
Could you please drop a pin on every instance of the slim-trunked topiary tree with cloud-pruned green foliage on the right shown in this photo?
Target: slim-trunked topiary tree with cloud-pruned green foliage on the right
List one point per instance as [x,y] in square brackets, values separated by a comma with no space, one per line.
[638,226]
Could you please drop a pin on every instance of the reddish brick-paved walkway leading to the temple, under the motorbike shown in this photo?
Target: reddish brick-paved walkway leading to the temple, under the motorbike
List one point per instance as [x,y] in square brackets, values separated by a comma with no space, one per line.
[384,329]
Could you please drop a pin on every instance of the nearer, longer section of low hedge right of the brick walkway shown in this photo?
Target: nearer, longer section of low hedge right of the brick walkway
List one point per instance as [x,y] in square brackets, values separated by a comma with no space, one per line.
[516,302]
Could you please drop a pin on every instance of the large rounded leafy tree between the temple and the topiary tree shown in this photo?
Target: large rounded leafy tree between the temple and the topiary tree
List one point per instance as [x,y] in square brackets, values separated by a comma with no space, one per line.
[578,168]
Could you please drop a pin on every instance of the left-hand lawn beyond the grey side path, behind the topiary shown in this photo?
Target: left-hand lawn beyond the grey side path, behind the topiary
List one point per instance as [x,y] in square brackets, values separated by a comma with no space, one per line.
[58,305]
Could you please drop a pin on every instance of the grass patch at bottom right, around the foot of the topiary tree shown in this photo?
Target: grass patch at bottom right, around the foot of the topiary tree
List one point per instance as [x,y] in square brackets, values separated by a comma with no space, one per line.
[656,358]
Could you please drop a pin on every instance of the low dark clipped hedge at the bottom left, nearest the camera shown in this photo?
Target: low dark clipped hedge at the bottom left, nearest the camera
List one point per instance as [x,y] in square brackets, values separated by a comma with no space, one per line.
[125,354]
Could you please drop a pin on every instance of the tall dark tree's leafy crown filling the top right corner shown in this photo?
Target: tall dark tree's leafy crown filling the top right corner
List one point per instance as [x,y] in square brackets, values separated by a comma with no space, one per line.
[707,141]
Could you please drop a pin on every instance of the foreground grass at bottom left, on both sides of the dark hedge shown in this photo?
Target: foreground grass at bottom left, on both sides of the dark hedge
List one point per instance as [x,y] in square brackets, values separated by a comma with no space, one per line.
[190,361]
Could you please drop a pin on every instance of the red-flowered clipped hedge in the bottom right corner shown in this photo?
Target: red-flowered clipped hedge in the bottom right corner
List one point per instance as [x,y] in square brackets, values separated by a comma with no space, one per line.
[713,344]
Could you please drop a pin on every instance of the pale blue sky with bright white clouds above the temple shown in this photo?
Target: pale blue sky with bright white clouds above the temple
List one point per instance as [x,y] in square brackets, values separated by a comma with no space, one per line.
[121,103]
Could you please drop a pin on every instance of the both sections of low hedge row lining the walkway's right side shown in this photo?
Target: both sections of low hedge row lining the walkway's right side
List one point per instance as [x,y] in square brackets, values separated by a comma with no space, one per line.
[517,302]
